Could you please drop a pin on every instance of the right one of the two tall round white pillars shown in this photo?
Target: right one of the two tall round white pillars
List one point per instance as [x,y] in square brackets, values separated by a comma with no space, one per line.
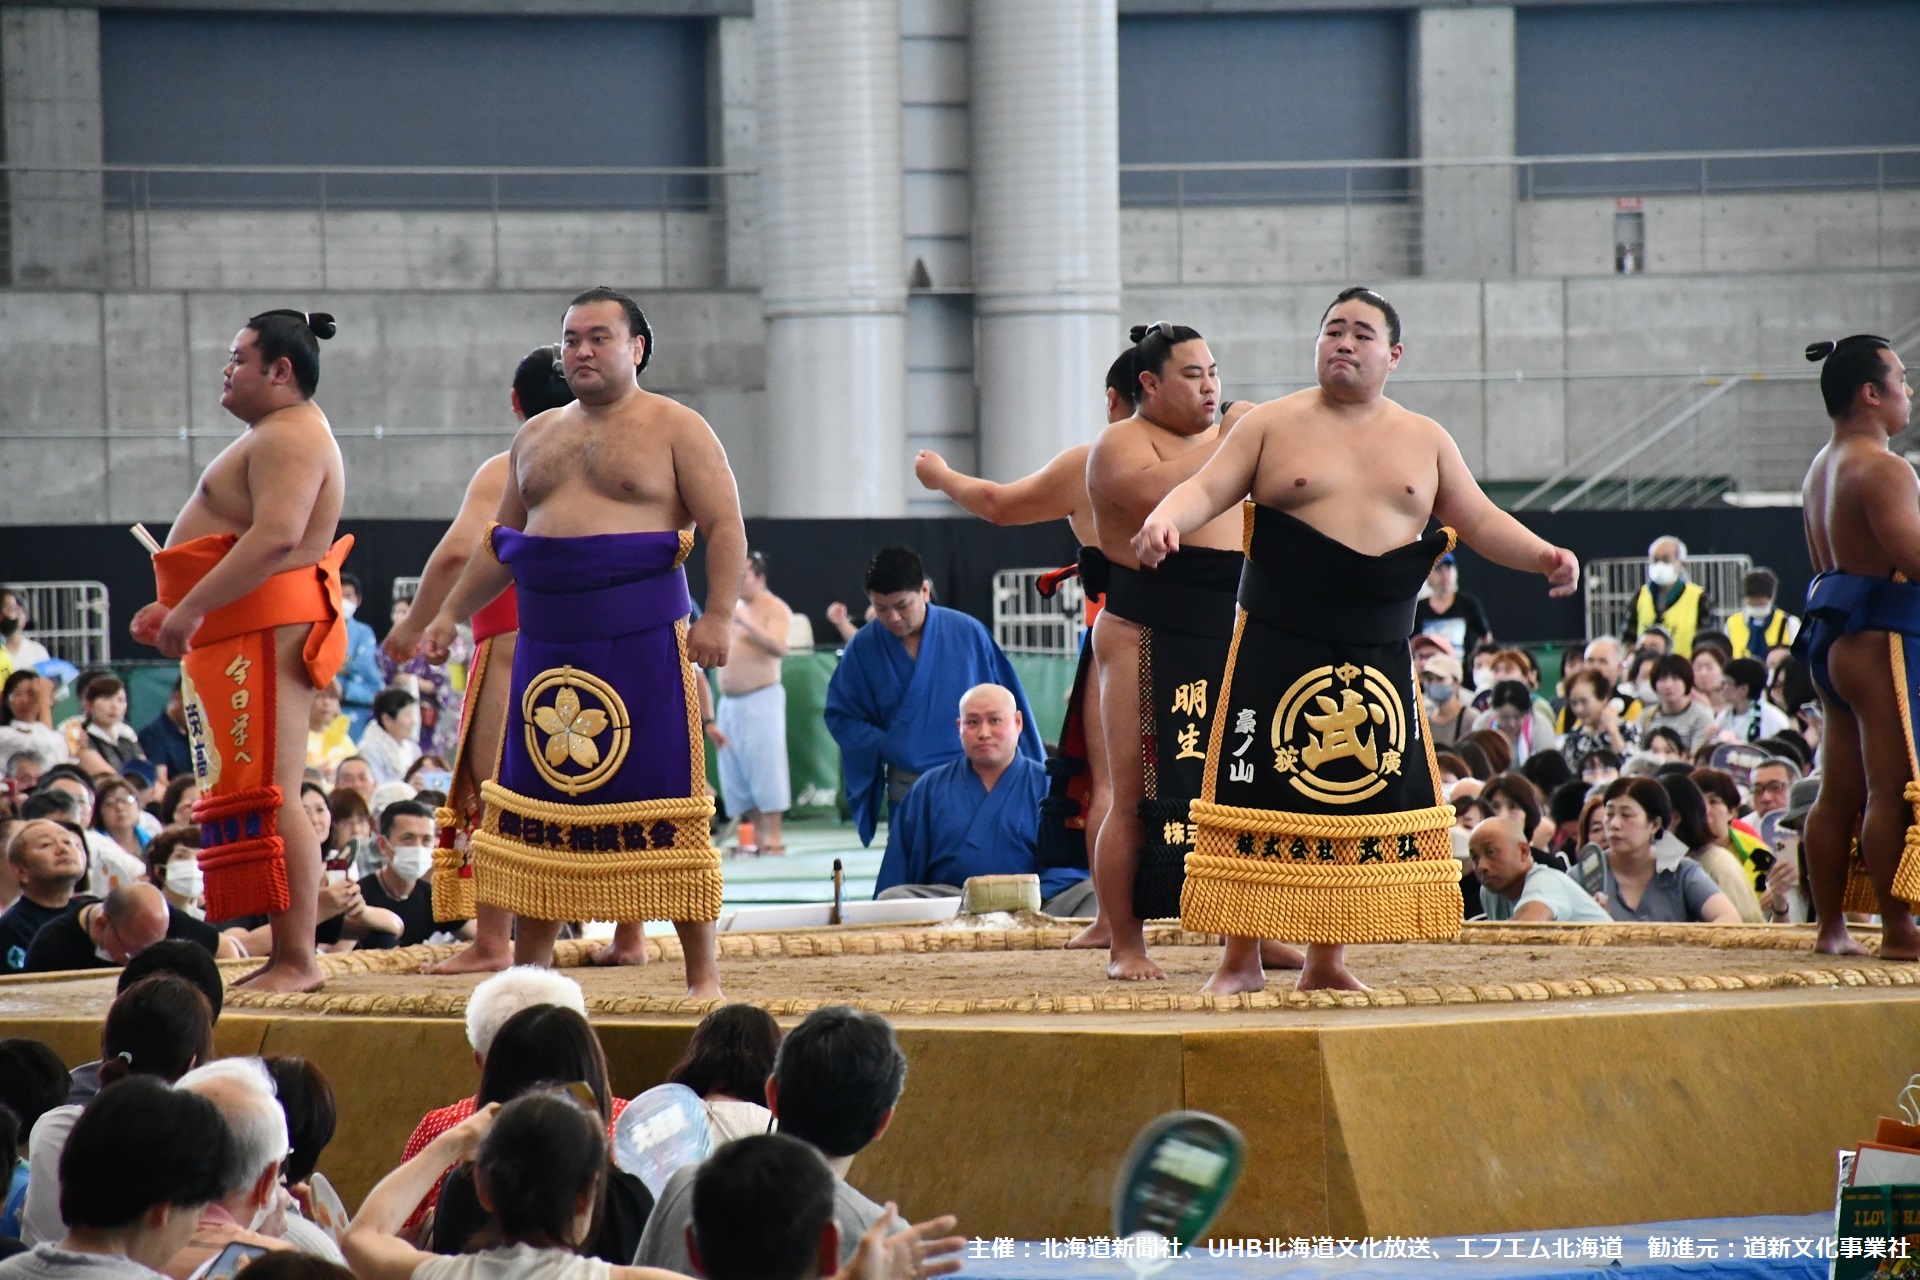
[1045,225]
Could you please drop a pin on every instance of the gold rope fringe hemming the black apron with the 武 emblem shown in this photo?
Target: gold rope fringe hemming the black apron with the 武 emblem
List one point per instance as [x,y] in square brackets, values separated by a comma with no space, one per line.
[1349,893]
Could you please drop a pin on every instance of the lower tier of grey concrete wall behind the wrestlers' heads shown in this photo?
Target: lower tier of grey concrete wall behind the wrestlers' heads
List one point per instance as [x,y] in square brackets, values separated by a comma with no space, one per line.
[101,385]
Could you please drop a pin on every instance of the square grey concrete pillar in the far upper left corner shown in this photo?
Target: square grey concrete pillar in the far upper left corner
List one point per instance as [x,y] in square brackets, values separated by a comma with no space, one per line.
[51,101]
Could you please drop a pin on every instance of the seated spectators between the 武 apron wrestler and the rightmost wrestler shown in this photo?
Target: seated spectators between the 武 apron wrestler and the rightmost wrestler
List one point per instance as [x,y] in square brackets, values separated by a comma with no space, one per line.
[1650,780]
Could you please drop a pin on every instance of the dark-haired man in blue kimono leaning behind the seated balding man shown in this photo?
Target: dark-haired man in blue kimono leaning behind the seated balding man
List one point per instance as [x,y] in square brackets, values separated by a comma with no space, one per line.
[898,680]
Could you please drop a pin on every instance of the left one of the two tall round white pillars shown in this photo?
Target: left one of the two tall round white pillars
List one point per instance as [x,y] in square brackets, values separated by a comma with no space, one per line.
[834,289]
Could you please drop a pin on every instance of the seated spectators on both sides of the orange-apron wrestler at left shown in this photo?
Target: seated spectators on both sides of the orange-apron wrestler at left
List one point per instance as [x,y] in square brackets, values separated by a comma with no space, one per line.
[99,847]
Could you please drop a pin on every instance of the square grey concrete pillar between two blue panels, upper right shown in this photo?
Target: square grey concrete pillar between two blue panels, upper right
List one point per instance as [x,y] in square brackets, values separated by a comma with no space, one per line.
[1466,103]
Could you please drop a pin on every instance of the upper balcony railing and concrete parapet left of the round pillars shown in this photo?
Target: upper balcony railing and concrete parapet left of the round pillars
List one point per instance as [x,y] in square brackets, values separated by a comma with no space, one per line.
[370,227]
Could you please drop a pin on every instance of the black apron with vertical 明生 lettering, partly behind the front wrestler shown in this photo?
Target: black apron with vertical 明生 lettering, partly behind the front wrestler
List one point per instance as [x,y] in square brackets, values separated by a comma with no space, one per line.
[1186,617]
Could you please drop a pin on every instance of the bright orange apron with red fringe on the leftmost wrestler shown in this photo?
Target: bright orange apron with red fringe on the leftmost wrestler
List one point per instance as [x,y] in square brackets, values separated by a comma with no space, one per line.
[229,686]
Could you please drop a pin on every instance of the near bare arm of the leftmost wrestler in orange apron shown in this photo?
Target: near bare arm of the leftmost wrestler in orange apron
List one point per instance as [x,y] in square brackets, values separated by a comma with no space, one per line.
[287,467]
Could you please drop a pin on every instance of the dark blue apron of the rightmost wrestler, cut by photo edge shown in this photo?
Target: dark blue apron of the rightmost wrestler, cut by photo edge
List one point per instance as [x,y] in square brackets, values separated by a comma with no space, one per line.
[1842,605]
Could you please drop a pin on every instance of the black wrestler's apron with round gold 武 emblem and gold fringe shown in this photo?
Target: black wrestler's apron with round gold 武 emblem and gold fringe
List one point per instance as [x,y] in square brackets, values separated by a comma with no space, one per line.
[1322,815]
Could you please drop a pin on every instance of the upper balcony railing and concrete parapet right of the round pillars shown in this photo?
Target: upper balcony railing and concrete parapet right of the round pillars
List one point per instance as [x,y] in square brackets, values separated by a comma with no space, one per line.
[1662,212]
